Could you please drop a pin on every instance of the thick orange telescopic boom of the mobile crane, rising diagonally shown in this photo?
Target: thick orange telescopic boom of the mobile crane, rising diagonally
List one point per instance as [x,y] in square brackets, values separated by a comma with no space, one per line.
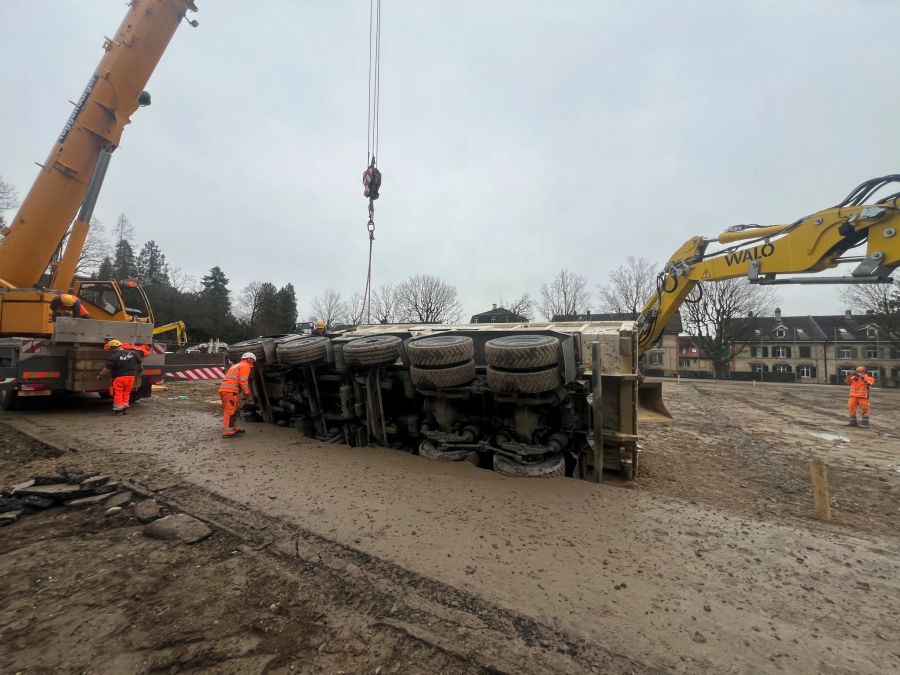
[112,94]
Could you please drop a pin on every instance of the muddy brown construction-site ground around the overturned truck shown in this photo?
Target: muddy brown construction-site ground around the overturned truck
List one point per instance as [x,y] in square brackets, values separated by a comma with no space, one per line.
[330,559]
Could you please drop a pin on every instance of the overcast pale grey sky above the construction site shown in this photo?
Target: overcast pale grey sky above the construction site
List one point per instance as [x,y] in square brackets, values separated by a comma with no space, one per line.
[518,137]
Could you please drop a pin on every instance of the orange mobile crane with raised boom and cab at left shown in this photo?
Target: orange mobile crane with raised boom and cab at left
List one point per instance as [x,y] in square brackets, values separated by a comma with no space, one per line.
[39,250]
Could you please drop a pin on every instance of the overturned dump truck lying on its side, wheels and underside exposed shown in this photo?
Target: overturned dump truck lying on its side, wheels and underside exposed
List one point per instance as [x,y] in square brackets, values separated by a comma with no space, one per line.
[539,399]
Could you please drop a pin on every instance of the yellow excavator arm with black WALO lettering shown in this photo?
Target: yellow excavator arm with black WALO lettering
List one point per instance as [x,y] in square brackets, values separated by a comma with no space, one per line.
[818,242]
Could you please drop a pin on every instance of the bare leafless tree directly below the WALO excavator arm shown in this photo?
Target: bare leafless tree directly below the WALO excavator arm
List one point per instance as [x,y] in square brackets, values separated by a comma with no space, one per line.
[723,317]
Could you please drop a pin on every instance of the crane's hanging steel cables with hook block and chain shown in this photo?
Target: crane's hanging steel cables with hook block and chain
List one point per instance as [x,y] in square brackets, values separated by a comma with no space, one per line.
[372,176]
